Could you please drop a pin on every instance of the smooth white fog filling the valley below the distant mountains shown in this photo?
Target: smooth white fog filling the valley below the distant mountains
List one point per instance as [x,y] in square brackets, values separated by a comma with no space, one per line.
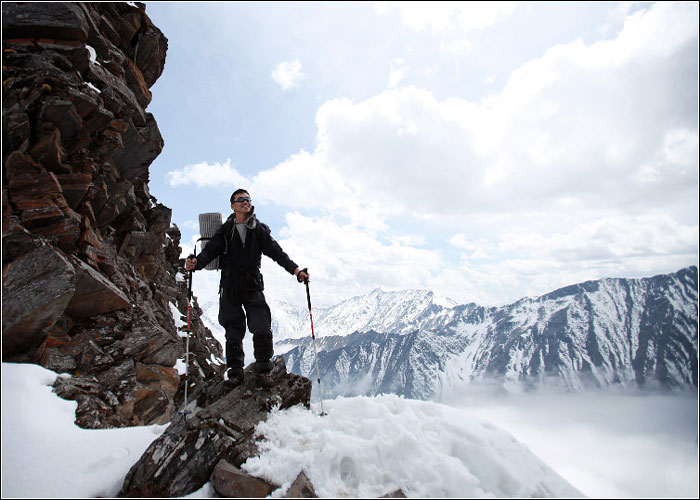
[606,444]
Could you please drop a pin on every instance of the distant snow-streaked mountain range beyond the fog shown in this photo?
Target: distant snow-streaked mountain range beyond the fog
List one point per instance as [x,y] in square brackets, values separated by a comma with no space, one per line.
[626,332]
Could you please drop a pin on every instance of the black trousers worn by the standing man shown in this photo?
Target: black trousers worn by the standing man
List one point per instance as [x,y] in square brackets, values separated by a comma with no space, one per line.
[233,318]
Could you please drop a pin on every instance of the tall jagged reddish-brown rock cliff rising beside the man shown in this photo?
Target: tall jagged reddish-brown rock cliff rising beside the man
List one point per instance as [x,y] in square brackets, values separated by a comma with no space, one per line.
[89,257]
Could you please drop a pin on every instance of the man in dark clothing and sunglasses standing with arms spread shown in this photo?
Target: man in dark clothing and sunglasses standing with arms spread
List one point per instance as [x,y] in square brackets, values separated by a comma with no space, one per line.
[240,243]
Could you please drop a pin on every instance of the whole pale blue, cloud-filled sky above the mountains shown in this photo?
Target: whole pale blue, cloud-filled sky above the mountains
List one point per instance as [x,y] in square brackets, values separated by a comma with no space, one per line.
[484,151]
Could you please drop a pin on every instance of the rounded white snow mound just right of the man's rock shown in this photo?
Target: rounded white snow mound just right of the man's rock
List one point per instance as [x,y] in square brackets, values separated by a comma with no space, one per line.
[368,447]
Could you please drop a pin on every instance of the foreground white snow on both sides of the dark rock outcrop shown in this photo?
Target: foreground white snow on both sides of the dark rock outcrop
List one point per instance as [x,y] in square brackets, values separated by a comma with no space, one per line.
[424,449]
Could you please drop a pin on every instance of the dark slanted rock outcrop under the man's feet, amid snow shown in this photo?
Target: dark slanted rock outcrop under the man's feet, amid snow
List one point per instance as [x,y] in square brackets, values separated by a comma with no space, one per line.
[220,426]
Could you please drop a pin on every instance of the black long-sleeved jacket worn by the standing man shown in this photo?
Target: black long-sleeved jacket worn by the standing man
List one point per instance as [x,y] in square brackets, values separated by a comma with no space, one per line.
[240,264]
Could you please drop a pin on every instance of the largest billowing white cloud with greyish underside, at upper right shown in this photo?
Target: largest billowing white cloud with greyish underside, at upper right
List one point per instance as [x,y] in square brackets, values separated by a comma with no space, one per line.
[573,127]
